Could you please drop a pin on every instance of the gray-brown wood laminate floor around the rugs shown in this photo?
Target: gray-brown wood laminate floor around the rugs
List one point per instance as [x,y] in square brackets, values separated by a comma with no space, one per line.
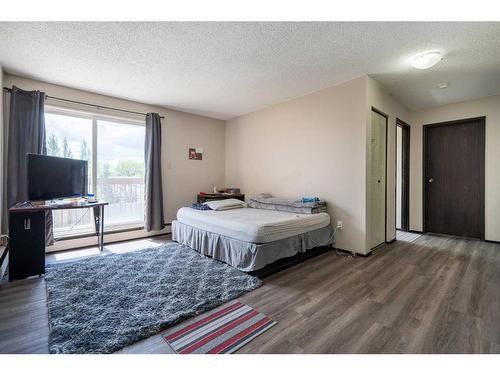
[433,295]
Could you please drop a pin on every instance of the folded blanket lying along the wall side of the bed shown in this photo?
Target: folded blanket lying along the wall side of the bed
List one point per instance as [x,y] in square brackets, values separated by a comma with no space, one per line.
[311,206]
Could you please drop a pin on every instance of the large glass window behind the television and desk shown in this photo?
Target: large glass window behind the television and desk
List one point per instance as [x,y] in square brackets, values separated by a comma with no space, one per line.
[115,152]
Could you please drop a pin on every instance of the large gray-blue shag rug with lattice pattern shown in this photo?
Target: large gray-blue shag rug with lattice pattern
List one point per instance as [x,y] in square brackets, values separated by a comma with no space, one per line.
[101,304]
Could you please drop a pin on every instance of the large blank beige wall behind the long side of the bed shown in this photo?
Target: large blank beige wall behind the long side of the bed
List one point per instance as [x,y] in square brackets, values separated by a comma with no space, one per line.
[313,146]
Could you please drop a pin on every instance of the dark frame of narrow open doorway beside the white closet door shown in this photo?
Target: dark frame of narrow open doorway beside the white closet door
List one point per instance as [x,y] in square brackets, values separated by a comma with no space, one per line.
[405,183]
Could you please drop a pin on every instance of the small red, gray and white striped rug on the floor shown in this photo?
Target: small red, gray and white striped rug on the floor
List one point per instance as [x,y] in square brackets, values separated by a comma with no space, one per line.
[221,332]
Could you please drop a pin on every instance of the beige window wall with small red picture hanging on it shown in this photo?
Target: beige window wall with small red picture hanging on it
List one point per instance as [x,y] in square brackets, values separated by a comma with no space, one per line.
[182,178]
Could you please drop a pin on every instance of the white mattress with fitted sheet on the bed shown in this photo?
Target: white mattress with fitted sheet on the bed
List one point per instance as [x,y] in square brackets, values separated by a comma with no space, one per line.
[253,224]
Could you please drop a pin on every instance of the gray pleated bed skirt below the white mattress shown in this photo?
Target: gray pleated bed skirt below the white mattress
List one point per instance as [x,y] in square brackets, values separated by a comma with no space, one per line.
[248,256]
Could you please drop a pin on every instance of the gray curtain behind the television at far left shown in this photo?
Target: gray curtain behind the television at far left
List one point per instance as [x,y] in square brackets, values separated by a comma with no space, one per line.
[26,135]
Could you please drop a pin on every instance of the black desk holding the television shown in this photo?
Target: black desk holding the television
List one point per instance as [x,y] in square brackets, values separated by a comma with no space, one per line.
[27,234]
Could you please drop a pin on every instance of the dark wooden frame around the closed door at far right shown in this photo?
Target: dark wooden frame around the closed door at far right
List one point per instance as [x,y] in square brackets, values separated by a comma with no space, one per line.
[482,119]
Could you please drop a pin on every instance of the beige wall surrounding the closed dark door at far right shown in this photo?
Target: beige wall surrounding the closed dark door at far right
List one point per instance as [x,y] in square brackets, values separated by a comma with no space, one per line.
[489,107]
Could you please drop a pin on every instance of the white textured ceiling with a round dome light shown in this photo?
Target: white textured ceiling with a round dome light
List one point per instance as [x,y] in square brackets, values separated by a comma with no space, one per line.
[223,70]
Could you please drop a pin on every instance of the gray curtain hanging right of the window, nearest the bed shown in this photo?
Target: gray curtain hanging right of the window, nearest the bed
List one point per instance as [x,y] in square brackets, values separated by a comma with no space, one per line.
[154,219]
